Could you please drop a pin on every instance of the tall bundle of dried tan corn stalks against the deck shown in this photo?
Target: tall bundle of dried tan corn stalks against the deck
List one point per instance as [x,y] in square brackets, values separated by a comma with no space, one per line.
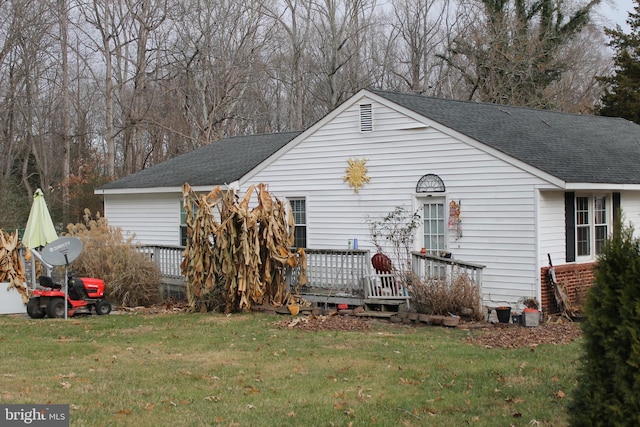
[243,251]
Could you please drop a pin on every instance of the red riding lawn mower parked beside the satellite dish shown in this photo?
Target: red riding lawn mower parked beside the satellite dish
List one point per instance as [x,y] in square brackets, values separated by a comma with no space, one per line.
[83,295]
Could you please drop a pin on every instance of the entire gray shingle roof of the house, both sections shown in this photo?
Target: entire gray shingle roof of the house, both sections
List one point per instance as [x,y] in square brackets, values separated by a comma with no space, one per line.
[572,147]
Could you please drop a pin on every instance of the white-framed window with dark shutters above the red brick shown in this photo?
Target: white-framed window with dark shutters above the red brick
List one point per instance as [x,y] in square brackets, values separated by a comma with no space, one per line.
[592,224]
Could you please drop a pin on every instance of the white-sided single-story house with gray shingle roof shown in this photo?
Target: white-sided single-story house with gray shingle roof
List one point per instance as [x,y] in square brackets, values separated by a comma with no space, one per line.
[506,187]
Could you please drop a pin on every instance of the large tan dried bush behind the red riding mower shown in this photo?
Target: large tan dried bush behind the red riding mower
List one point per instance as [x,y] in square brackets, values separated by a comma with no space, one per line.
[131,278]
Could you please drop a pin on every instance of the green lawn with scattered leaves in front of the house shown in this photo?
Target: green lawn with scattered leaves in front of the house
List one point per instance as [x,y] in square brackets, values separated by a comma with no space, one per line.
[209,369]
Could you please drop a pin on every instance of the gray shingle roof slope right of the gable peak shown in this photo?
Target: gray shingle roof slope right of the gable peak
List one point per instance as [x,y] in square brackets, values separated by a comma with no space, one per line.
[575,148]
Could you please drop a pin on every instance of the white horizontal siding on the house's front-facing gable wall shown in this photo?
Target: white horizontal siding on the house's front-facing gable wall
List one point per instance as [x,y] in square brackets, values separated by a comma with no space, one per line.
[497,199]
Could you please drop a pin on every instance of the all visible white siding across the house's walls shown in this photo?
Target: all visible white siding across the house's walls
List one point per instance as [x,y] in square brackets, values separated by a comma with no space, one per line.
[507,223]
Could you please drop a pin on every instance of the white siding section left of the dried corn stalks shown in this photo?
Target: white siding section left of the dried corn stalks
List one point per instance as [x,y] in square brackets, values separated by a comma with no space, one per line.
[154,219]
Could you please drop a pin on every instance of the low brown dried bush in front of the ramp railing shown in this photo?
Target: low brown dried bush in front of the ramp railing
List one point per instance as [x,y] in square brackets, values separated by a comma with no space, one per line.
[438,296]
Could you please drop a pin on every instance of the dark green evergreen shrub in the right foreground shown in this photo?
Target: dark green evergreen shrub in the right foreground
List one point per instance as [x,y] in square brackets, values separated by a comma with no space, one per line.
[608,387]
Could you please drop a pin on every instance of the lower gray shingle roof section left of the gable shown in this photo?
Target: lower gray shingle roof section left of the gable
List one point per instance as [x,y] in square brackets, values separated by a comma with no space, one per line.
[219,163]
